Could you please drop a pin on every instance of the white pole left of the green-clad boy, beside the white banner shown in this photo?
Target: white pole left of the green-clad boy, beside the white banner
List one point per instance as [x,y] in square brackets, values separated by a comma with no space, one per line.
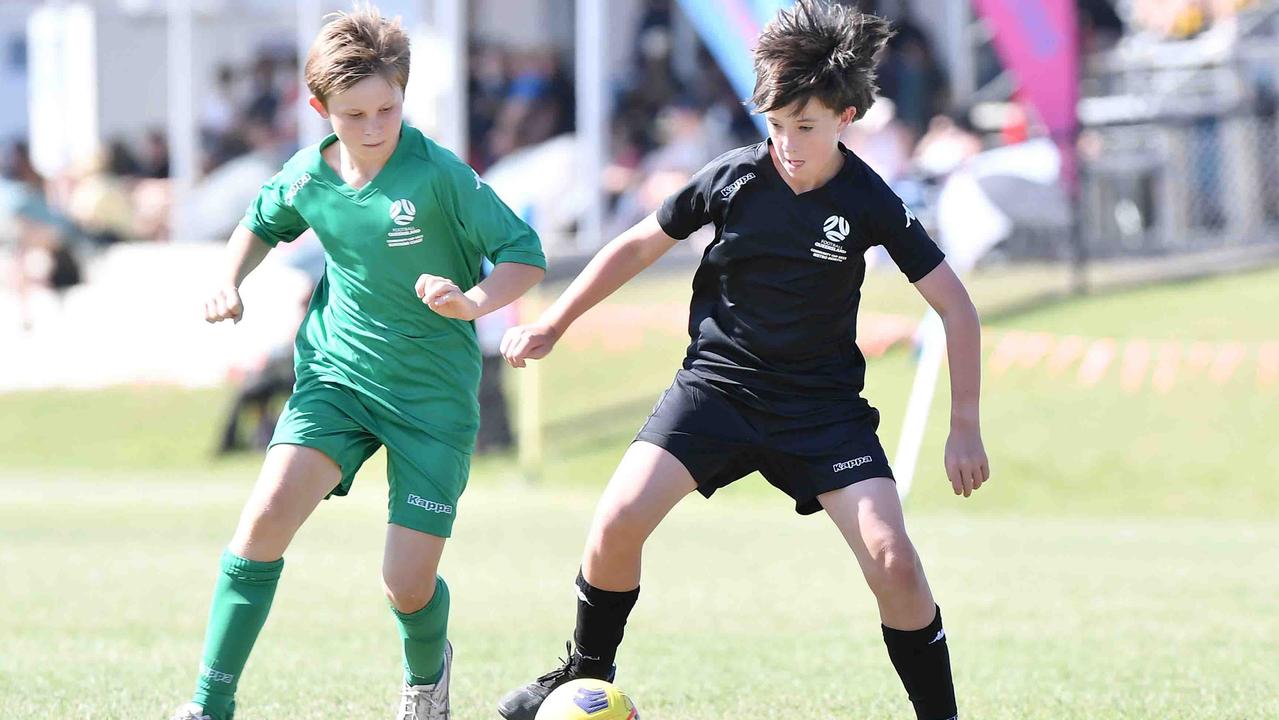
[184,140]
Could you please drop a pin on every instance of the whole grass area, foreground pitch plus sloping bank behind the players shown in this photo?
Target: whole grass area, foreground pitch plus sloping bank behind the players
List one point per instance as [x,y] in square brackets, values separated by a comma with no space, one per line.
[1125,562]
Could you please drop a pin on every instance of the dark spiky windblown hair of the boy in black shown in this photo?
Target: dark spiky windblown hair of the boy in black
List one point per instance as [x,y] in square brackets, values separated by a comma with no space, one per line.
[819,51]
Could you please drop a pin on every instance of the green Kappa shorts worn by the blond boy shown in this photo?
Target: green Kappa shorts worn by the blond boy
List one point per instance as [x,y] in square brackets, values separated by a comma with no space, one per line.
[425,476]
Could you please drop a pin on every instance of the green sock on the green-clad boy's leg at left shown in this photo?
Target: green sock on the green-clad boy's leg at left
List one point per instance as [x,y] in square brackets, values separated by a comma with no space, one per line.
[242,600]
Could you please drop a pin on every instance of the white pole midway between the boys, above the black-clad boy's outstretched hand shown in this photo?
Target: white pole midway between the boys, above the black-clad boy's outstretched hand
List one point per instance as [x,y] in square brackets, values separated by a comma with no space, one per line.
[592,118]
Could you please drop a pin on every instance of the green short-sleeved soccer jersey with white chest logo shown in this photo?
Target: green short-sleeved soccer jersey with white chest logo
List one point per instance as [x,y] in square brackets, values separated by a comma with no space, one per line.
[366,328]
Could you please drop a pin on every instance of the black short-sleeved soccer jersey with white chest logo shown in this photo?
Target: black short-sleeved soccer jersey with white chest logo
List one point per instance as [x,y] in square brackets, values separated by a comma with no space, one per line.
[774,311]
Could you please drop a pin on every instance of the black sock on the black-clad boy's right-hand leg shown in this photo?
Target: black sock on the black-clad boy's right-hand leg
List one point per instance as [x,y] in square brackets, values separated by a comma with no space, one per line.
[923,662]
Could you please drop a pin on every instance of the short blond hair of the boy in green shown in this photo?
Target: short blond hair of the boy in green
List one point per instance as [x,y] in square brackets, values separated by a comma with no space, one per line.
[354,47]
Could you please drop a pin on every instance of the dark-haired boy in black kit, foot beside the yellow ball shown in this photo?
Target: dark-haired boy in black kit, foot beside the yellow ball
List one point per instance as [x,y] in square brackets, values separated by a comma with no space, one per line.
[773,378]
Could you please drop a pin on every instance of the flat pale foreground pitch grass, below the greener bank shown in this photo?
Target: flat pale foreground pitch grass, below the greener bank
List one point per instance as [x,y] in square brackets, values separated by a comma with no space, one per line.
[749,611]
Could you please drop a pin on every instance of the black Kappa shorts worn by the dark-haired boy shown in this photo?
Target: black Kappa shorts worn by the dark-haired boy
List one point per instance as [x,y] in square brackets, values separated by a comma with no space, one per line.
[721,441]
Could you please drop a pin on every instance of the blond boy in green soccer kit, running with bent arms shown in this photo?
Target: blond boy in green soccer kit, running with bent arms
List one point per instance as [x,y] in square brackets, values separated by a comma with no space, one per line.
[386,357]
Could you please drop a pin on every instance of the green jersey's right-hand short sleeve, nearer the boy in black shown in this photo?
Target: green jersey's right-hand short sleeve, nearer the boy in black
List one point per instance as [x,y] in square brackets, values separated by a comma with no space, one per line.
[488,223]
